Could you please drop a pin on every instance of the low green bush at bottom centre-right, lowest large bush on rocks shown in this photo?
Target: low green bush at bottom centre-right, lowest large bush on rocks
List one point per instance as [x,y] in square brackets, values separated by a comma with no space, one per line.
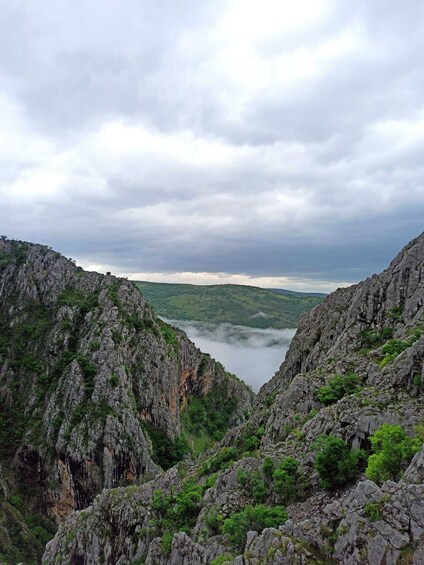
[252,518]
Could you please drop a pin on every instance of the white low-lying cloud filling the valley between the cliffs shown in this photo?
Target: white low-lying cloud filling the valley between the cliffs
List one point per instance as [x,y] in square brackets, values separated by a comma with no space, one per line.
[252,354]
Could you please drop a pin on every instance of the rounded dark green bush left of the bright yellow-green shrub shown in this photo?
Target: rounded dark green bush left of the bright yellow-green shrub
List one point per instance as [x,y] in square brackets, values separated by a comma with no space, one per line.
[335,462]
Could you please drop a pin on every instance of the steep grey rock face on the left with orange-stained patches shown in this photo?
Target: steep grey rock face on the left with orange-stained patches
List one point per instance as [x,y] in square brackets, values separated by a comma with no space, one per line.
[89,376]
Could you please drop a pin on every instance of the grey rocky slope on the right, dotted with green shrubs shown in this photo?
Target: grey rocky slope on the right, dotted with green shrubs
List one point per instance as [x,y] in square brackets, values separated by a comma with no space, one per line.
[372,333]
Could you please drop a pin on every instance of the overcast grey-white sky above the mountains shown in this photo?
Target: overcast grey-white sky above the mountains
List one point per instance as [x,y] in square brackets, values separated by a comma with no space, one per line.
[271,142]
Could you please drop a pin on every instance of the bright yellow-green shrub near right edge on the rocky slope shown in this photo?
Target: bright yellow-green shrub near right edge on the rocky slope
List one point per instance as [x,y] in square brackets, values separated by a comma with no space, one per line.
[392,451]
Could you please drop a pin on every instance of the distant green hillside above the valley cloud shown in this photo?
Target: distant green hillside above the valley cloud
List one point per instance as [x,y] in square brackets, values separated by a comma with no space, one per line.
[242,305]
